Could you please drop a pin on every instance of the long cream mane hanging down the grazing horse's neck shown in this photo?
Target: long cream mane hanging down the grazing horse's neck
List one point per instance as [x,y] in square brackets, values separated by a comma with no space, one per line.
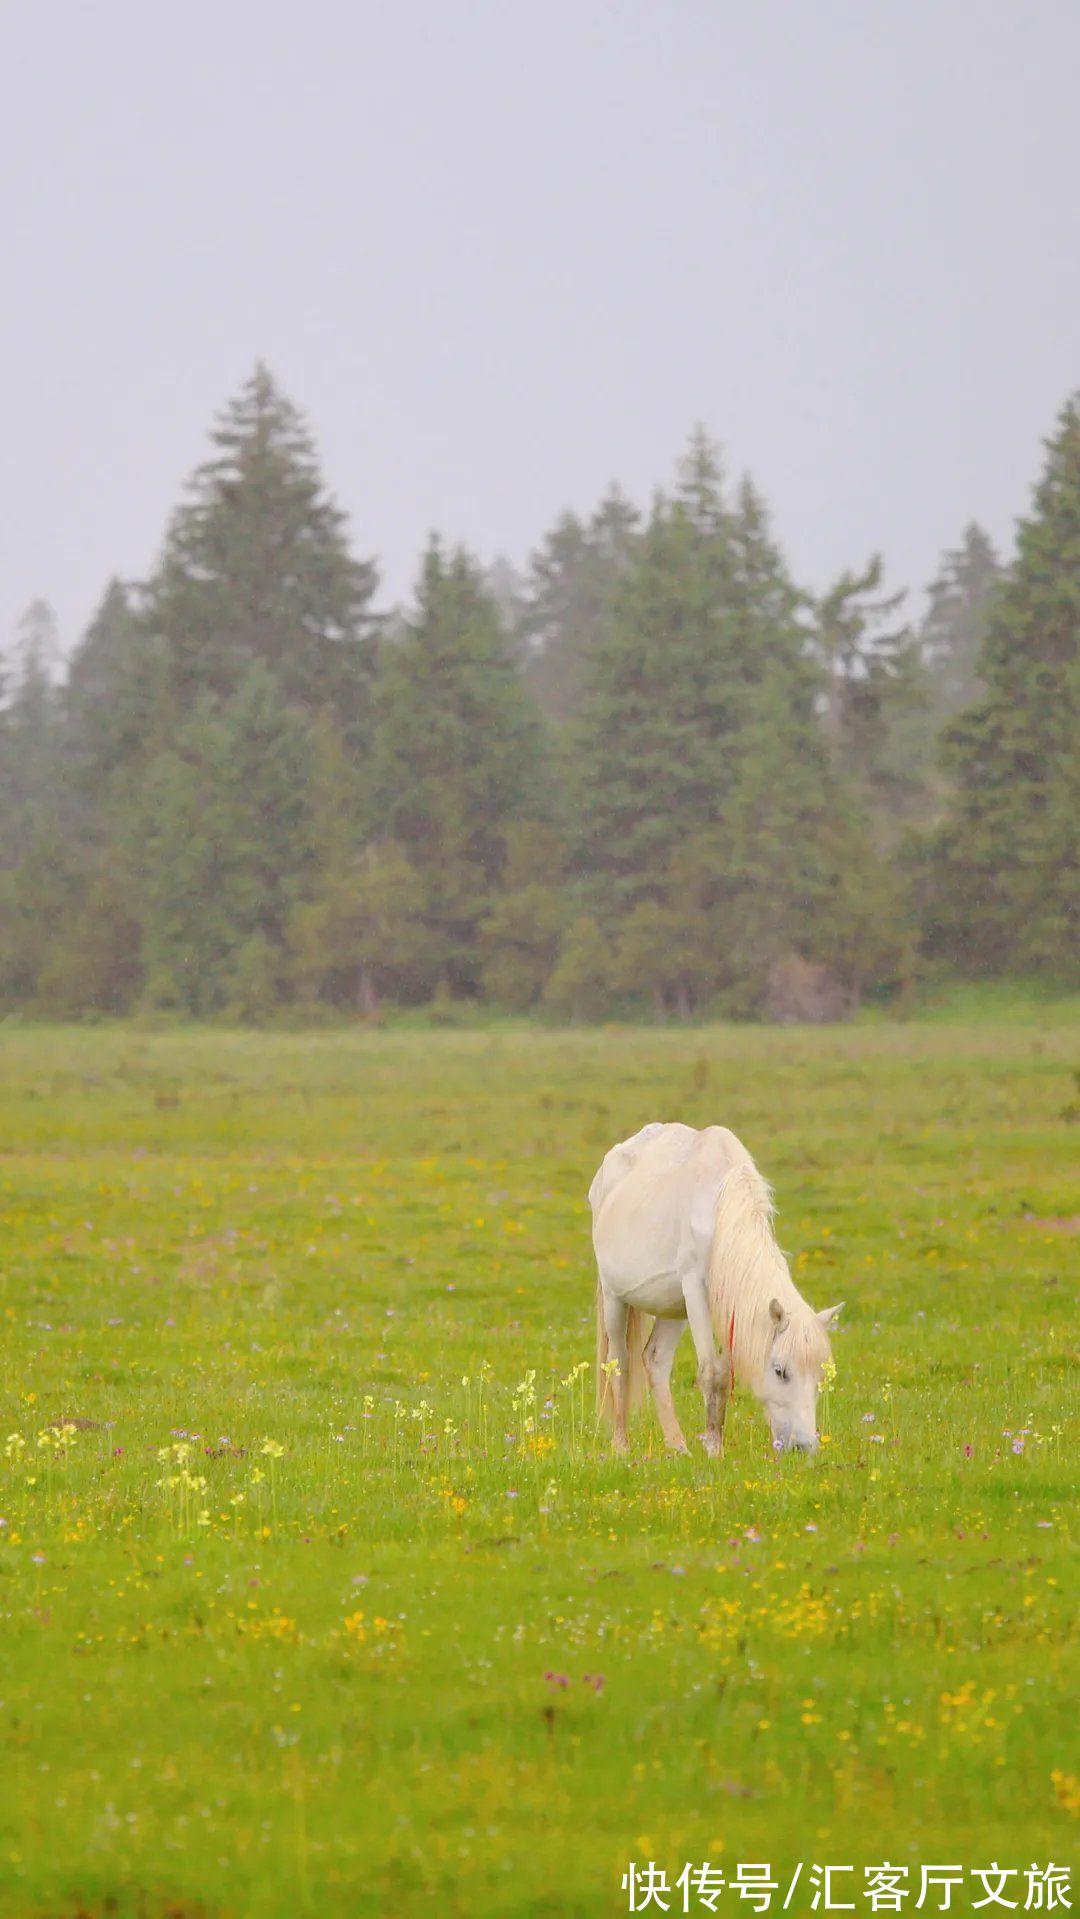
[747,1273]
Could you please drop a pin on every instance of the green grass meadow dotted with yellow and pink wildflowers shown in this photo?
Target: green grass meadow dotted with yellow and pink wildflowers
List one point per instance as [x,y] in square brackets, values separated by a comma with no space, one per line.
[333,1603]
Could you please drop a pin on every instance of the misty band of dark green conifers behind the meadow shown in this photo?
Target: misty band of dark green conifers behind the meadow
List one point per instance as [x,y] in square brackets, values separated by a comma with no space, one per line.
[647,776]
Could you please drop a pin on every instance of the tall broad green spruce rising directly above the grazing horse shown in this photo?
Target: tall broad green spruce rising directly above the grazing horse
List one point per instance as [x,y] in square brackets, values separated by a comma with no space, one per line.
[709,794]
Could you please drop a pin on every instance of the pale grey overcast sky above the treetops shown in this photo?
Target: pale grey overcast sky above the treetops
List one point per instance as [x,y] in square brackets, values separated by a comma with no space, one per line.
[504,252]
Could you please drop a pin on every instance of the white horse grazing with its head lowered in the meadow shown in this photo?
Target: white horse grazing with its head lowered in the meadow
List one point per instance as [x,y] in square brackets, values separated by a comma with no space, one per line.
[684,1233]
